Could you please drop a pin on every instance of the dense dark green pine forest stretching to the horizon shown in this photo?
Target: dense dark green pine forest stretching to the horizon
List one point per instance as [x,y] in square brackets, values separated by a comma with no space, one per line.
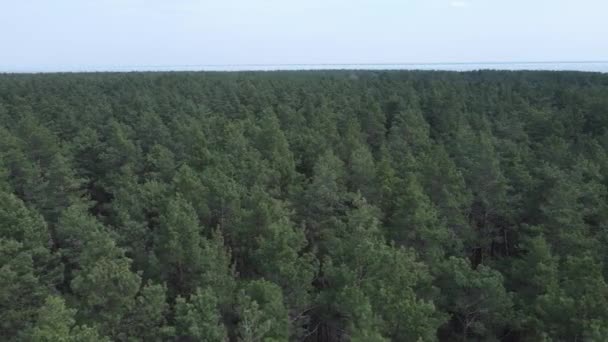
[304,206]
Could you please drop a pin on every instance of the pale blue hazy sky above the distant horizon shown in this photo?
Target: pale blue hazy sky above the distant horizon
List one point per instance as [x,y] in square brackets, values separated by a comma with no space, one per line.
[65,35]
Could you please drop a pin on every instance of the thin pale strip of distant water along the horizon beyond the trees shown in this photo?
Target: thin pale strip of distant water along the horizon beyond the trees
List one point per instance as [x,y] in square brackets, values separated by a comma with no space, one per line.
[599,66]
